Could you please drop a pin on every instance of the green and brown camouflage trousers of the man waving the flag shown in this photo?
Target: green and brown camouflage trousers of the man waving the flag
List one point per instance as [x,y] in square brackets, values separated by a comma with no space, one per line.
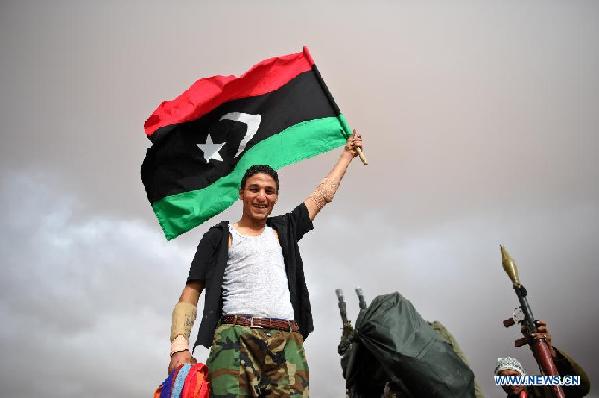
[250,362]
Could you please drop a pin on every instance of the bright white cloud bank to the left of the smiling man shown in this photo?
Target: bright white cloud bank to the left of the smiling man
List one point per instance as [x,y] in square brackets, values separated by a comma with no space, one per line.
[86,304]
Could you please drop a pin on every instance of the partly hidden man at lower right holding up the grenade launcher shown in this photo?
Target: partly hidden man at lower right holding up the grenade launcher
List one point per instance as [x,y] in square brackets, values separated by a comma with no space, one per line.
[566,366]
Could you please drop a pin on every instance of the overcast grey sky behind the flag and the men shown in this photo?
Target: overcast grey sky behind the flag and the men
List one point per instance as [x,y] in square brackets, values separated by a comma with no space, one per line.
[479,120]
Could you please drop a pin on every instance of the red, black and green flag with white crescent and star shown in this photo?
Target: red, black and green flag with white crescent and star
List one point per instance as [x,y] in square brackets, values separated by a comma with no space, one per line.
[203,141]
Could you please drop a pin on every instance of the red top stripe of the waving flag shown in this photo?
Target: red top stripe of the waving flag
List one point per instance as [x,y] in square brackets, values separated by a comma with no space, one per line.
[208,93]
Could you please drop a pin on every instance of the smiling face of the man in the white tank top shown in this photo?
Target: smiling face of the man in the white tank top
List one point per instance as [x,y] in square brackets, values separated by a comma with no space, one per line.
[258,196]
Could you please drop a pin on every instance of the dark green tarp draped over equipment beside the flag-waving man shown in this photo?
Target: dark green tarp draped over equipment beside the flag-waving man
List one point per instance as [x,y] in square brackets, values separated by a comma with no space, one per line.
[393,343]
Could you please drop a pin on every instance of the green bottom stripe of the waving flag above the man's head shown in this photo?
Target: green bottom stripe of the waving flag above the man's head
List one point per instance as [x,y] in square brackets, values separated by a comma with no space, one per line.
[179,213]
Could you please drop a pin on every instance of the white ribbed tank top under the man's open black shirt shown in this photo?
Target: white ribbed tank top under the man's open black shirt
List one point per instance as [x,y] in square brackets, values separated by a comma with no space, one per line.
[255,282]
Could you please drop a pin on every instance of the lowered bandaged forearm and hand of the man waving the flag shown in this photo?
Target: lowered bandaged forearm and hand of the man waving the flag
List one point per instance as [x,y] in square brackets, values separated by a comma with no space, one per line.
[184,315]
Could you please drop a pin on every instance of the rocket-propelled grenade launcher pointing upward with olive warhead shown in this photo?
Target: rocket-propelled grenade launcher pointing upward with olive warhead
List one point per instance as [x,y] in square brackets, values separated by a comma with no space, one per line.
[539,347]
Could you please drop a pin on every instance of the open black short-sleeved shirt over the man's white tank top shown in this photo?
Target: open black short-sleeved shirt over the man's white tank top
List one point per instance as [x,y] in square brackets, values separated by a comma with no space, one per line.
[211,257]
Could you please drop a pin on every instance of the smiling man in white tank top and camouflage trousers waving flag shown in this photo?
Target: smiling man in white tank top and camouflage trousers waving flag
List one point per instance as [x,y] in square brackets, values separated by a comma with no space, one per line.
[257,309]
